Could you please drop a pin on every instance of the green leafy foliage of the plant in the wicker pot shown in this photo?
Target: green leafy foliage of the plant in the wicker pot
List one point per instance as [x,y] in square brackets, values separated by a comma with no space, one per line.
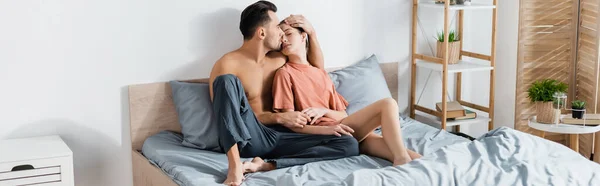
[544,89]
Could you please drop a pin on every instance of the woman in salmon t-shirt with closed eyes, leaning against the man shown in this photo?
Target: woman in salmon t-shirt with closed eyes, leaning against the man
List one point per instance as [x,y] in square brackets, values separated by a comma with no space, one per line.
[298,86]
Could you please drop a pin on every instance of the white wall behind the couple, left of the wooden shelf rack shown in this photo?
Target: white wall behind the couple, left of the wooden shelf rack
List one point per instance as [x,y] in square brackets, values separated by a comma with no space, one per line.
[65,64]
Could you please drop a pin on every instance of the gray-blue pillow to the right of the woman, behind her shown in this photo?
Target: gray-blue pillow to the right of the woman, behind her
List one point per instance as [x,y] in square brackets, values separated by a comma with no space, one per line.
[361,84]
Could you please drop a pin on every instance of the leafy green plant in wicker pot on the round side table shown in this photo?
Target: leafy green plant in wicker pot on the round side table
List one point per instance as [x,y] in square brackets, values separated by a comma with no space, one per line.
[541,93]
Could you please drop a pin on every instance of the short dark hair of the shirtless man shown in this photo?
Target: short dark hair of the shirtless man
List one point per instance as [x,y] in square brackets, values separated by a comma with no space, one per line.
[255,15]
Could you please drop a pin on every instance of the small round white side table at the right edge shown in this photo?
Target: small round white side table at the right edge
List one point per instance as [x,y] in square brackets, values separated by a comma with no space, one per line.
[572,130]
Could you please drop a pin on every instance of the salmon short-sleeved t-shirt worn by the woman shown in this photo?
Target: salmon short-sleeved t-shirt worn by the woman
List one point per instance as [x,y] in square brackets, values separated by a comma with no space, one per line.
[301,86]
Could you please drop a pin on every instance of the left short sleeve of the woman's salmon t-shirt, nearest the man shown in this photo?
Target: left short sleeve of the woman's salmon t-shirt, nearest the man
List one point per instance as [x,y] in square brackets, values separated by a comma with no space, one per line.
[283,97]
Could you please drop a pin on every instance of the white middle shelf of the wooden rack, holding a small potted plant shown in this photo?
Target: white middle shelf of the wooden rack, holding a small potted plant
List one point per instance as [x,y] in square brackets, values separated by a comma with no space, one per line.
[461,66]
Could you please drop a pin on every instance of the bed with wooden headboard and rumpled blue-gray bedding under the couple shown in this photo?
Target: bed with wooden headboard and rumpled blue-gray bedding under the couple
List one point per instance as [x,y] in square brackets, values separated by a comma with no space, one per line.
[501,157]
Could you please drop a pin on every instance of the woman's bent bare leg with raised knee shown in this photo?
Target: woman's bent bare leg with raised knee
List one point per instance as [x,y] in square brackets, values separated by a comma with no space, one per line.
[385,113]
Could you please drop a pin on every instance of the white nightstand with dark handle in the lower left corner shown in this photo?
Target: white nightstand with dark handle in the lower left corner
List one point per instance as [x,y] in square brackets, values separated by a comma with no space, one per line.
[44,161]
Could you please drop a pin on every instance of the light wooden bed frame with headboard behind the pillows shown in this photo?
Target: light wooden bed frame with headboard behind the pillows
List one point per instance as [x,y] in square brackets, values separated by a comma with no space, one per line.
[151,110]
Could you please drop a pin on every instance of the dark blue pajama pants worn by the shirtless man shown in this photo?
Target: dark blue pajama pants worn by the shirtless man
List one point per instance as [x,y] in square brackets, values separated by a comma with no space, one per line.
[238,125]
